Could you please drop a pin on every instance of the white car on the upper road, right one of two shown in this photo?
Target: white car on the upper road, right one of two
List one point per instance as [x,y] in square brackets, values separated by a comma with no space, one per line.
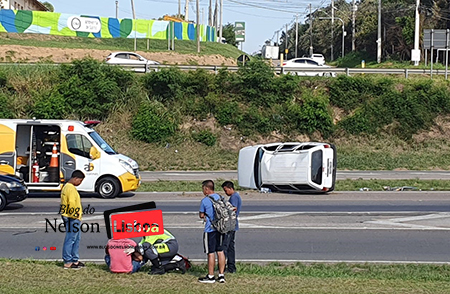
[295,66]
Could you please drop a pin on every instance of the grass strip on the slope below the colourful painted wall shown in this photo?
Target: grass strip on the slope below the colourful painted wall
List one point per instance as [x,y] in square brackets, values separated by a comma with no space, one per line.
[117,44]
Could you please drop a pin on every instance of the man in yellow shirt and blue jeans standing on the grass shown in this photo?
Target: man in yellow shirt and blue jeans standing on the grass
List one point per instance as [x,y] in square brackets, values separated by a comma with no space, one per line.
[71,211]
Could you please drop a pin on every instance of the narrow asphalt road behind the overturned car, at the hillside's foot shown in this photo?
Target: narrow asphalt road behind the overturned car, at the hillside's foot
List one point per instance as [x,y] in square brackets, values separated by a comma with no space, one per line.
[148,176]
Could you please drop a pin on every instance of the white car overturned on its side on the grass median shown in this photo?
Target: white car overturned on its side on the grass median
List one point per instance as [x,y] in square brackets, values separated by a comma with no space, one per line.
[288,167]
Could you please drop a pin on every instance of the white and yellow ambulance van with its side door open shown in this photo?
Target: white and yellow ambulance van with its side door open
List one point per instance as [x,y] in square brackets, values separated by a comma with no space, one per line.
[45,153]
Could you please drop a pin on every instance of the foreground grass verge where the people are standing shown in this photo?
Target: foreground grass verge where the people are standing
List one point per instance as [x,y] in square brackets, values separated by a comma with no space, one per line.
[28,276]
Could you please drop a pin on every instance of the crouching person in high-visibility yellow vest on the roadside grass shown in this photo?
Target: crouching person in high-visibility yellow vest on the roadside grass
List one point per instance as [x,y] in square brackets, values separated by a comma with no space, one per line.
[160,250]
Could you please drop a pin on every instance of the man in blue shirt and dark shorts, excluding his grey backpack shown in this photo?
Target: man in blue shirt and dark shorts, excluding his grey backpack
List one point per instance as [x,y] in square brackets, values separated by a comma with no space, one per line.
[212,239]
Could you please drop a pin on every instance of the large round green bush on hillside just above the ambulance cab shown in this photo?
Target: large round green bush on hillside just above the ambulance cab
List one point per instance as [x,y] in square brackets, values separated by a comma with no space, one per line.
[91,88]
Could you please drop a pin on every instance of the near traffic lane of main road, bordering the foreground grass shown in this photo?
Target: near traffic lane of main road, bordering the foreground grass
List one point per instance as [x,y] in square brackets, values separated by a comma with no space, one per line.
[263,244]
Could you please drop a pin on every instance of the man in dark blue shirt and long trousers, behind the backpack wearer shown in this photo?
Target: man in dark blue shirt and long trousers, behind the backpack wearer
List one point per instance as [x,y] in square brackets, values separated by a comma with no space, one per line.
[229,244]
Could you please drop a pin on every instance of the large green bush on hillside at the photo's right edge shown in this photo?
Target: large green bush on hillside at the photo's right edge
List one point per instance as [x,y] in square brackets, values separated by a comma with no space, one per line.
[400,112]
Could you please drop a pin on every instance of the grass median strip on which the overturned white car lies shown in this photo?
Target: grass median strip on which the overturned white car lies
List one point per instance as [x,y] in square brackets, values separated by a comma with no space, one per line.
[341,185]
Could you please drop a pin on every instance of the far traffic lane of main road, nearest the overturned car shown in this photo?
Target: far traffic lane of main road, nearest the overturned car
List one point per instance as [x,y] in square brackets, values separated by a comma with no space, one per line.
[397,201]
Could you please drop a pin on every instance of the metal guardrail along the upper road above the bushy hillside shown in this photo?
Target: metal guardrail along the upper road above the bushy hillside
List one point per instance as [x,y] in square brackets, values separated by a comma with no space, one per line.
[277,69]
